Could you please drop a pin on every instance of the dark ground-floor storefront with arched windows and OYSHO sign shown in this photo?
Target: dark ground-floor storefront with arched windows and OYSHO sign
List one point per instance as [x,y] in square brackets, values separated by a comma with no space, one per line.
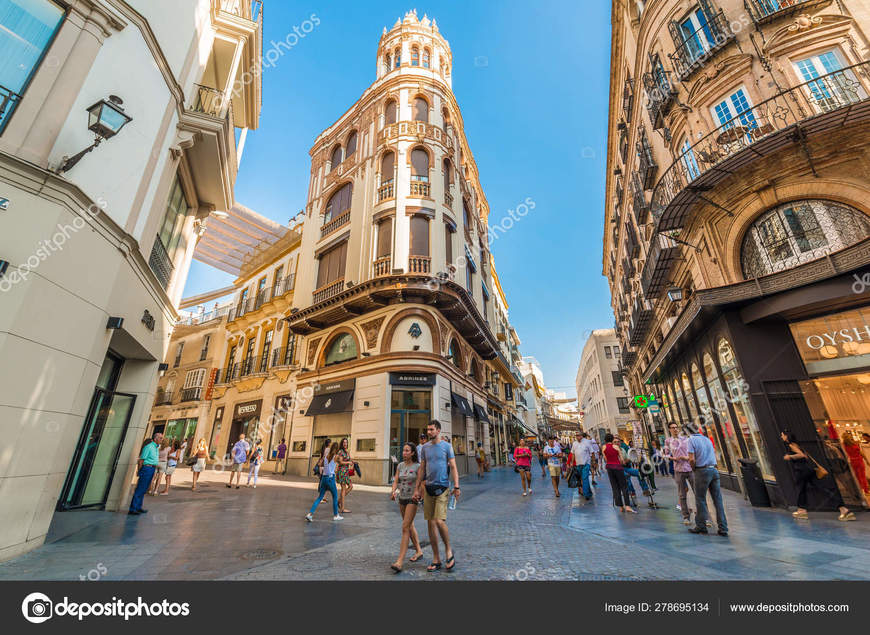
[752,369]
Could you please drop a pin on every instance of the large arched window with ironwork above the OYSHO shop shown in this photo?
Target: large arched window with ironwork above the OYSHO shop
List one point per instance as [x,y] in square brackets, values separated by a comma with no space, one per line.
[798,232]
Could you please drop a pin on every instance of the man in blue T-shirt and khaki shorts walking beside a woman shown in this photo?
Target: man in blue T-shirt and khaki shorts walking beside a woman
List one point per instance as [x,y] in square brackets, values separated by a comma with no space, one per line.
[438,464]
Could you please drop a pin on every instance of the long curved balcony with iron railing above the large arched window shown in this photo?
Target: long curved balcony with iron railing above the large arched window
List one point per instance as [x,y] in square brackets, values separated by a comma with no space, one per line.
[835,100]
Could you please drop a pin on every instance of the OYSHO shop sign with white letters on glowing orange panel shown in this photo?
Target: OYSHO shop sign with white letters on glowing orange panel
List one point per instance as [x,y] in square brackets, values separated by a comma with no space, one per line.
[837,341]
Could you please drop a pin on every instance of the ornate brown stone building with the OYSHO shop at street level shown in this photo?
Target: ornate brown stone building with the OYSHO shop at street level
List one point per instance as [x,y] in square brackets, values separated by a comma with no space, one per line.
[737,235]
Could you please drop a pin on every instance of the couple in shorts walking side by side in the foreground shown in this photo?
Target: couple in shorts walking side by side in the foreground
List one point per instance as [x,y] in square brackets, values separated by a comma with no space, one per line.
[429,481]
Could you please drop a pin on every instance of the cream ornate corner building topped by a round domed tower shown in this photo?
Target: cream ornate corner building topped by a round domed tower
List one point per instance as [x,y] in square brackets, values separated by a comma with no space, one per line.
[394,294]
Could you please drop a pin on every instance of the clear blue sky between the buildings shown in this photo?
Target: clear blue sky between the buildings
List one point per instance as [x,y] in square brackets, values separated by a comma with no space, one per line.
[531,80]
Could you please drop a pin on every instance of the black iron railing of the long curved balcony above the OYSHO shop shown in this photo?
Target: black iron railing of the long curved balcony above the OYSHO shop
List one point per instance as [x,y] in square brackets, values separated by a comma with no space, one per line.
[826,93]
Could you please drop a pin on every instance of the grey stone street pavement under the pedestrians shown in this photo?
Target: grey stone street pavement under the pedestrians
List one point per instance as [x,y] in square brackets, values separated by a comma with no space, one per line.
[260,534]
